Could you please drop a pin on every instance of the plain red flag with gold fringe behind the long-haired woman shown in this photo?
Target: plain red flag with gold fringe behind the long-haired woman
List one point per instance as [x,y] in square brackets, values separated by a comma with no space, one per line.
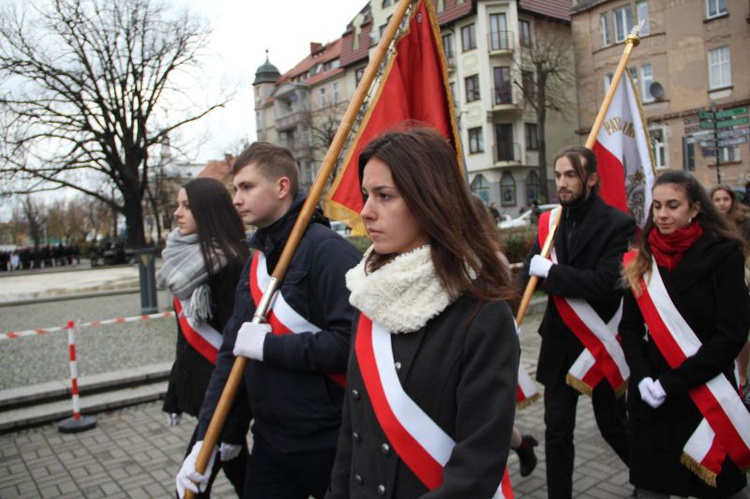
[414,86]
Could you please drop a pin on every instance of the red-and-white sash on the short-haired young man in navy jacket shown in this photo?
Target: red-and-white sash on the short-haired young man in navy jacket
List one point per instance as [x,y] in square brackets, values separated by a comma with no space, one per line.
[281,316]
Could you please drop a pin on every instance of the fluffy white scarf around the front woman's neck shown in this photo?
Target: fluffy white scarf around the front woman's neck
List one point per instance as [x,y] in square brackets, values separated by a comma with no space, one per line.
[401,296]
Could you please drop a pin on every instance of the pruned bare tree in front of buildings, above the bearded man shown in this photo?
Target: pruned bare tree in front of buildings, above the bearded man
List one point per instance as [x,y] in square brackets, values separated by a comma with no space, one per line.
[547,73]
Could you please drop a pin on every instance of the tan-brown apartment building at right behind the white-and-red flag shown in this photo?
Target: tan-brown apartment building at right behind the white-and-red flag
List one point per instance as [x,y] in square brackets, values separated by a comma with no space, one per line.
[691,68]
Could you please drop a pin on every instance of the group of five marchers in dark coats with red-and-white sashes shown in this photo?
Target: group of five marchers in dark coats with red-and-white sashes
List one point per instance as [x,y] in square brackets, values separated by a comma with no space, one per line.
[396,374]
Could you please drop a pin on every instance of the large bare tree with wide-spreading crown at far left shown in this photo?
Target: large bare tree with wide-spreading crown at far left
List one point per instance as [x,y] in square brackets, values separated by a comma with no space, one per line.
[84,83]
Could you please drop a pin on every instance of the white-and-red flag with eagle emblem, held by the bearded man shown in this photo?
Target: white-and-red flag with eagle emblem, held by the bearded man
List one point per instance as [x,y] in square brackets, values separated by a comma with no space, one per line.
[623,150]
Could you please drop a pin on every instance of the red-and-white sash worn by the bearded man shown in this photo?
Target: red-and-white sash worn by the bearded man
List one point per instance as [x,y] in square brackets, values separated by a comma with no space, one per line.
[602,357]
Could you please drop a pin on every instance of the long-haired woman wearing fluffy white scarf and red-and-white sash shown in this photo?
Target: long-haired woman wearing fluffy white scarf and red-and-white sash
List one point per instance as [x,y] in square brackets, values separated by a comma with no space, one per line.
[435,334]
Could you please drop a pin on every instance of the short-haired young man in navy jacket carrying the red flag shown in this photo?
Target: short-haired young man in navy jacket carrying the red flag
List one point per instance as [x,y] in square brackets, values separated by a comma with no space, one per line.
[294,379]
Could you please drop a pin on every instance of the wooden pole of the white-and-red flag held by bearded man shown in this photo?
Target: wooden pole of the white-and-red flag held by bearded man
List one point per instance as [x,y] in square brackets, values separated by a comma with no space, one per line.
[632,41]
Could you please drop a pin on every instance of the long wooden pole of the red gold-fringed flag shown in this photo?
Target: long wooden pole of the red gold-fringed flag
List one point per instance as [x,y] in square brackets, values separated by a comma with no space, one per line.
[303,219]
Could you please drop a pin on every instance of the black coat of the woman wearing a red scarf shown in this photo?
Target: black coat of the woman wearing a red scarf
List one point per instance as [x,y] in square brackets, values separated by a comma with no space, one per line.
[708,290]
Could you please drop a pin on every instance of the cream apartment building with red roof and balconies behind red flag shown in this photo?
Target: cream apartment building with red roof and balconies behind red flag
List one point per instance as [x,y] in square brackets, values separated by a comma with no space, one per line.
[485,43]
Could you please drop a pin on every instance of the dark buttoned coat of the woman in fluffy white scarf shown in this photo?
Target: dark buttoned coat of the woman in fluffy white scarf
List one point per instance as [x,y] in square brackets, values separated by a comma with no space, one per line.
[461,368]
